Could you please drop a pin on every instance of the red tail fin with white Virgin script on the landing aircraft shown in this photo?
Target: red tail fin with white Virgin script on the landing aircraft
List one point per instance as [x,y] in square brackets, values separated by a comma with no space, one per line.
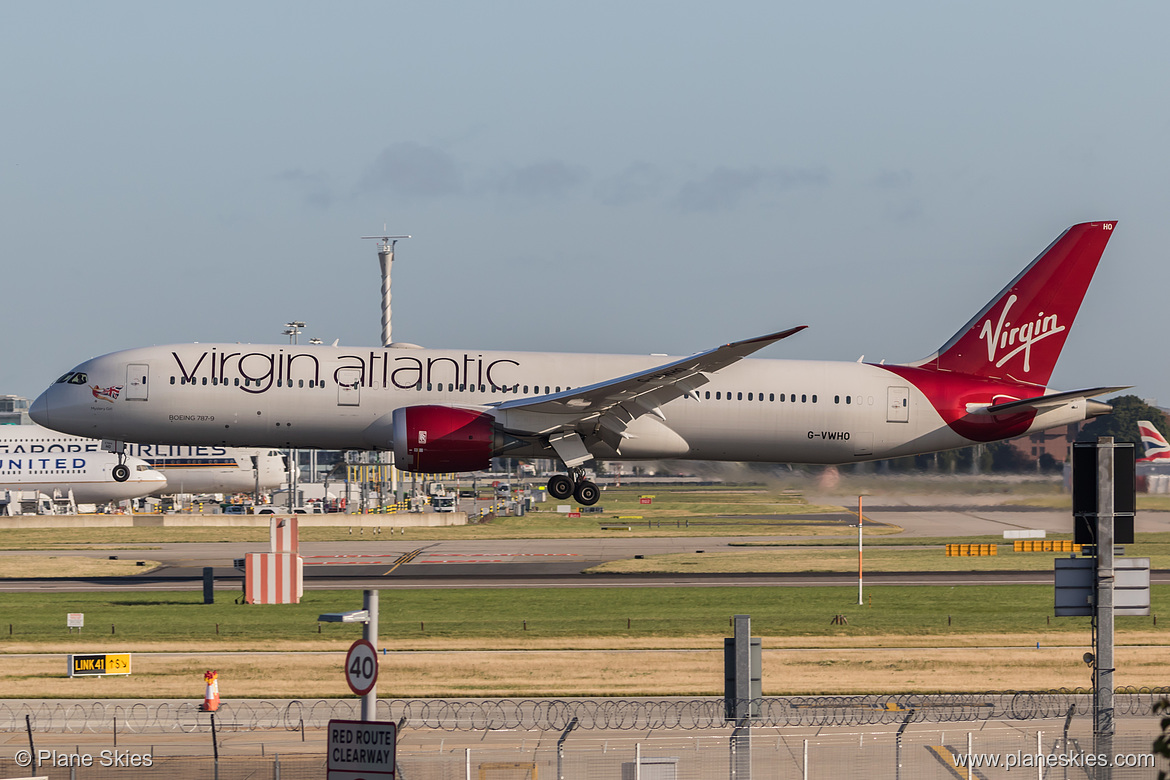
[1020,335]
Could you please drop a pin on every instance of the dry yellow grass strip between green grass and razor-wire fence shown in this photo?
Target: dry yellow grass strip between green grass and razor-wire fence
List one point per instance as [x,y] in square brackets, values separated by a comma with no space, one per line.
[588,673]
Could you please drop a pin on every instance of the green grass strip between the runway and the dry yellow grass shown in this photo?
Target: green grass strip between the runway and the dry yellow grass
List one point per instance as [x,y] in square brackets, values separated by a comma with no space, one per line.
[490,616]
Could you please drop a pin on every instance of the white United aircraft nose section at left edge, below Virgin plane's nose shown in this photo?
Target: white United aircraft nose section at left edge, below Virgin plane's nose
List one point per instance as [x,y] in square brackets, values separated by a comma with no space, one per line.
[88,475]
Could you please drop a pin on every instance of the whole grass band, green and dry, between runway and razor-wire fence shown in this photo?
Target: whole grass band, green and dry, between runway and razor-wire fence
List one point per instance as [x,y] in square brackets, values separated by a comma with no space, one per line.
[573,643]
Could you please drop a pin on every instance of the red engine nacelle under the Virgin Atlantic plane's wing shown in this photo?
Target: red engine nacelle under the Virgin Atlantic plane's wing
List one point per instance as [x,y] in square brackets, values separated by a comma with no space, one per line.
[438,439]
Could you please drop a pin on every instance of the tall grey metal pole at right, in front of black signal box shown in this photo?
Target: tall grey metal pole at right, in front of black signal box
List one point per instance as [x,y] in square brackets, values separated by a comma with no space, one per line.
[1103,692]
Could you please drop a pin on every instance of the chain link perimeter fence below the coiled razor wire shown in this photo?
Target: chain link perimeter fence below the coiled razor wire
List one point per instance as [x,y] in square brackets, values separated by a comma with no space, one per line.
[1051,751]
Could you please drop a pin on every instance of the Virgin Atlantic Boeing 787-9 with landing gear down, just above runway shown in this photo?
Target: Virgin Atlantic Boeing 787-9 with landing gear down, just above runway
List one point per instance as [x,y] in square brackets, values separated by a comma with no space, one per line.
[453,410]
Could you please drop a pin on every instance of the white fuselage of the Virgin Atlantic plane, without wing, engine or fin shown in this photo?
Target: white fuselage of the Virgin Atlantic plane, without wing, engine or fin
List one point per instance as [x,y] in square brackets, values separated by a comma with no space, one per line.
[339,398]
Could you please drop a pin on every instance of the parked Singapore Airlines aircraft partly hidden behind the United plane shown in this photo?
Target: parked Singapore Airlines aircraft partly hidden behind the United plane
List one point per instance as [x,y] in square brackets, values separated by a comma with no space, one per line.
[188,470]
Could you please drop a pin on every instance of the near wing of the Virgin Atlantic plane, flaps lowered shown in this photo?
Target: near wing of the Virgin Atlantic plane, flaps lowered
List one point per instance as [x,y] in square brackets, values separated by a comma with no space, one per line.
[612,405]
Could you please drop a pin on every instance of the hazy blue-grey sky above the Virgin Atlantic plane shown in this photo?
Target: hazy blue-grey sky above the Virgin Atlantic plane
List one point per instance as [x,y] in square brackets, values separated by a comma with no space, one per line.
[604,177]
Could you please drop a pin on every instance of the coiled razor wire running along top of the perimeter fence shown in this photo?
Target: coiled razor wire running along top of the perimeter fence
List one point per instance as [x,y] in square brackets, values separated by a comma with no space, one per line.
[556,715]
